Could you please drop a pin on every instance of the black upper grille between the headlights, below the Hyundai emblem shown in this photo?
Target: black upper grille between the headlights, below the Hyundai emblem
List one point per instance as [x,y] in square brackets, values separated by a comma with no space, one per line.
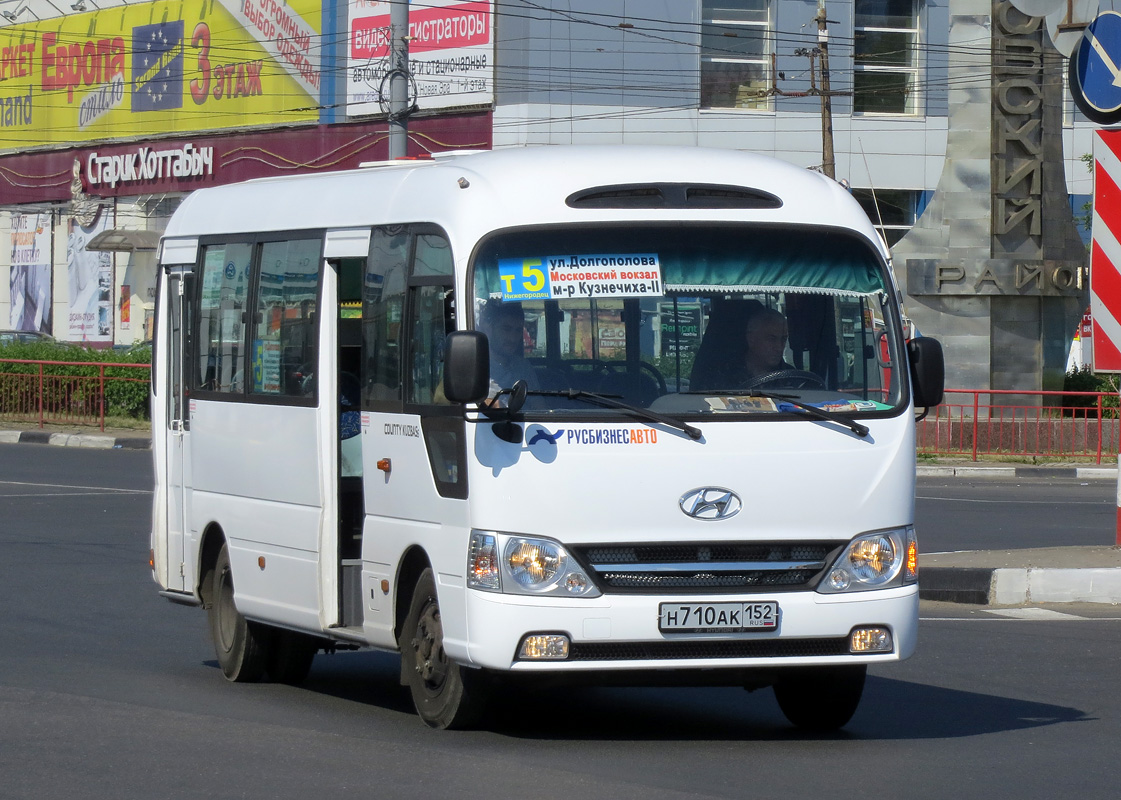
[712,568]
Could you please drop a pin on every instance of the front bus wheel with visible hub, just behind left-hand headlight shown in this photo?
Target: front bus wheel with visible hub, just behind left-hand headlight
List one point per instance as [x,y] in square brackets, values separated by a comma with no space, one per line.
[446,695]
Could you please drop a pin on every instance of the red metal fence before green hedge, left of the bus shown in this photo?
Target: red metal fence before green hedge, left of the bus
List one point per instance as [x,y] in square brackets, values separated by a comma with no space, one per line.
[69,393]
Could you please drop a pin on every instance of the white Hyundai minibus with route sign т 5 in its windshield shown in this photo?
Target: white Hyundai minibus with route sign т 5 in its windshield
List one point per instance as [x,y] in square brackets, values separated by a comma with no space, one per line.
[594,414]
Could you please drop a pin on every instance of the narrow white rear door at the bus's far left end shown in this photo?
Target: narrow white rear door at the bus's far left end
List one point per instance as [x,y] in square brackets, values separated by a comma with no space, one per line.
[180,286]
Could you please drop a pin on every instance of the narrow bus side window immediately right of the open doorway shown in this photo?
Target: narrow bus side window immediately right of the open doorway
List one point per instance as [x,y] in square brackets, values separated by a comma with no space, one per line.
[383,311]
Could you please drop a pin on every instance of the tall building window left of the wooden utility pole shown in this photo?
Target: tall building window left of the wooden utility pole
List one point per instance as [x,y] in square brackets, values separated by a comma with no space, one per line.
[736,46]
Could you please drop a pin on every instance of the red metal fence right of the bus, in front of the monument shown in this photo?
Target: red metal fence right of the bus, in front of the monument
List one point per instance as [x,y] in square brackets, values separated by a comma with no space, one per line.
[1079,426]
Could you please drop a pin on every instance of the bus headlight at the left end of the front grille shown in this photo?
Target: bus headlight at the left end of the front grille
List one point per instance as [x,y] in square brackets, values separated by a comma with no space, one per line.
[527,566]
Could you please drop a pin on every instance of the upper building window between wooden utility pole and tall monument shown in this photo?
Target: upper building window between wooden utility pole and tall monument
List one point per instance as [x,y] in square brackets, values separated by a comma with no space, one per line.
[886,58]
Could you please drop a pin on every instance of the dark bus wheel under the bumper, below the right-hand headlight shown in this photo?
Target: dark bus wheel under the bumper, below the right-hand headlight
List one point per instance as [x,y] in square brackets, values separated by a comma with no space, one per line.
[821,699]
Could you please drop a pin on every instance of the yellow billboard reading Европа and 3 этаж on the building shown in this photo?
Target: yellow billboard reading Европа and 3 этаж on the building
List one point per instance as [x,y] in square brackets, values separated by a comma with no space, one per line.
[160,68]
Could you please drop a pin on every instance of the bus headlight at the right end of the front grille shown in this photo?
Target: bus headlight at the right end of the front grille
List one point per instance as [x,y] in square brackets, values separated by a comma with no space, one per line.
[875,562]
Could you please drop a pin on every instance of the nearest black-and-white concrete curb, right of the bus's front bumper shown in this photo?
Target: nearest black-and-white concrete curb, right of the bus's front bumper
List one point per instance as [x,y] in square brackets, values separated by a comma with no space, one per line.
[1020,587]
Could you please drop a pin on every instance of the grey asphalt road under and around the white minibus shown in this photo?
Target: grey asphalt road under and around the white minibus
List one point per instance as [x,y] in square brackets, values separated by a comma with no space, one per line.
[109,692]
